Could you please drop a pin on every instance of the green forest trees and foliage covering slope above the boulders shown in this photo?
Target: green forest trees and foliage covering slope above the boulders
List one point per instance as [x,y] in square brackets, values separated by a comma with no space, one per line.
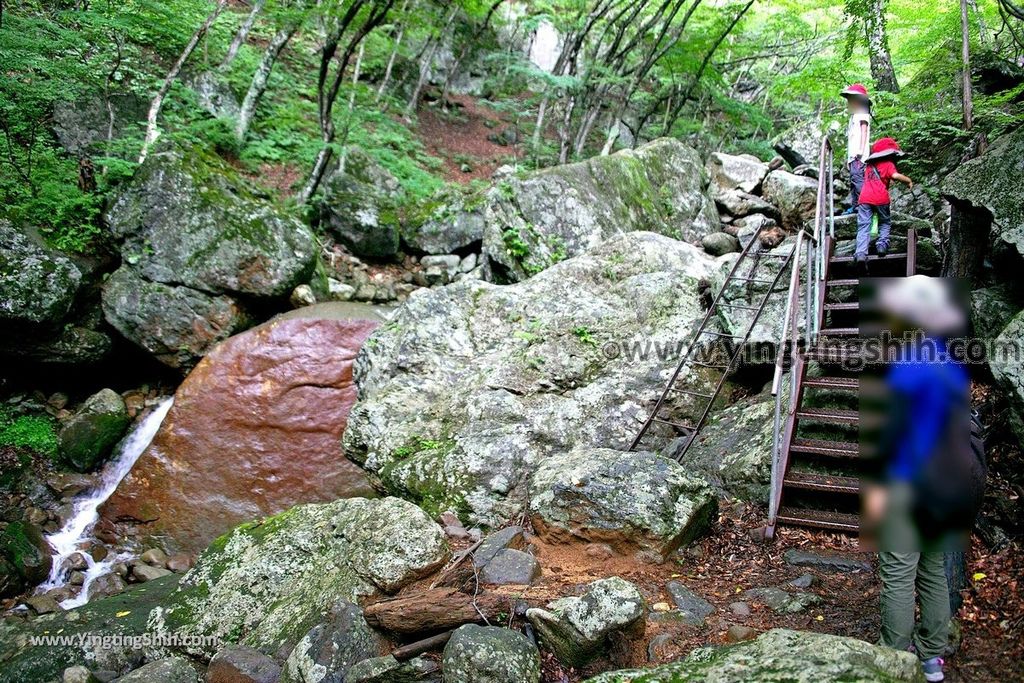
[290,86]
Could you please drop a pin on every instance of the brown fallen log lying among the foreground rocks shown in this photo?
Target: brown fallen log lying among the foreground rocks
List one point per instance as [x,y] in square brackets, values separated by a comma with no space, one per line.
[435,610]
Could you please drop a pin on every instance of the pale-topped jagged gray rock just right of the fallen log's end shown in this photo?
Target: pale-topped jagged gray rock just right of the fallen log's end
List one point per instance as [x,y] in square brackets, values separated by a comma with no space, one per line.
[577,629]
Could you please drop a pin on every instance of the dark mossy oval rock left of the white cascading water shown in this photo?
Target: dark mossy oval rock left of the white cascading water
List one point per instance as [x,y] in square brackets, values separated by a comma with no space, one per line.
[90,437]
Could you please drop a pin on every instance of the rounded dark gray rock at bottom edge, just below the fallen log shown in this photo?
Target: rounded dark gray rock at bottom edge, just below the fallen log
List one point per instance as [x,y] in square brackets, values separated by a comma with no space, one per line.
[490,655]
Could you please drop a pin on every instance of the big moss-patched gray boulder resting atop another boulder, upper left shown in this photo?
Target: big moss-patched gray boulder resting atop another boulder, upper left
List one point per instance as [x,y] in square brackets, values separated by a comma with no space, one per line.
[189,220]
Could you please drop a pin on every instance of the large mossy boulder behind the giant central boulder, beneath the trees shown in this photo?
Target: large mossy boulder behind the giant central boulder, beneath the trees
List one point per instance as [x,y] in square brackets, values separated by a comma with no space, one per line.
[546,217]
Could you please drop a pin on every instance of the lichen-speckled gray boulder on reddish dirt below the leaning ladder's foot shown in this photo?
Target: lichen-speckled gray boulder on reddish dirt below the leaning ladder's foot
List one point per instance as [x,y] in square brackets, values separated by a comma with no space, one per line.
[641,499]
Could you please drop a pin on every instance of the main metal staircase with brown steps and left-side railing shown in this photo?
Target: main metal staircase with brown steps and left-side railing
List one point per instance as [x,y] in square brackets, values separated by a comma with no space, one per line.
[816,451]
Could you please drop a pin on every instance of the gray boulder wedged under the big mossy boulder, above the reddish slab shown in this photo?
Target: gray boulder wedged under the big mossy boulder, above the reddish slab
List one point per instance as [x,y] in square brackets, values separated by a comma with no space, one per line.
[177,325]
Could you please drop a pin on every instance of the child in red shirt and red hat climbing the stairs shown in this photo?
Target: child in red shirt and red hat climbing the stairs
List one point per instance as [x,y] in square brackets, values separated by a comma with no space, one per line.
[874,200]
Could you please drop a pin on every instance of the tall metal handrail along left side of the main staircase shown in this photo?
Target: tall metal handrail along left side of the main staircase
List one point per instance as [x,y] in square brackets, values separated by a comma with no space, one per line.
[804,293]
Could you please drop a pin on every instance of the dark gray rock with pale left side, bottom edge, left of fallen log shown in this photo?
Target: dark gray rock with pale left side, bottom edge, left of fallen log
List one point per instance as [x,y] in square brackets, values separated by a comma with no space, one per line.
[328,651]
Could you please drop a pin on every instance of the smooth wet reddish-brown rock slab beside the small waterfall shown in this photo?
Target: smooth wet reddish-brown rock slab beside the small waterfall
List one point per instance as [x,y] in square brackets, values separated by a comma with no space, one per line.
[255,429]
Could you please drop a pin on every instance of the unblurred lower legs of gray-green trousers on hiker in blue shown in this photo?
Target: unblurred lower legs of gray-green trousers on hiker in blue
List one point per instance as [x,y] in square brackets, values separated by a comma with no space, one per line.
[901,574]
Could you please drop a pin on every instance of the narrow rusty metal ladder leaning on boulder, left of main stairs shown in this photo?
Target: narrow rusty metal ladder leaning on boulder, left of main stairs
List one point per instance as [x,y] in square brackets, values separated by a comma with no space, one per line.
[712,349]
